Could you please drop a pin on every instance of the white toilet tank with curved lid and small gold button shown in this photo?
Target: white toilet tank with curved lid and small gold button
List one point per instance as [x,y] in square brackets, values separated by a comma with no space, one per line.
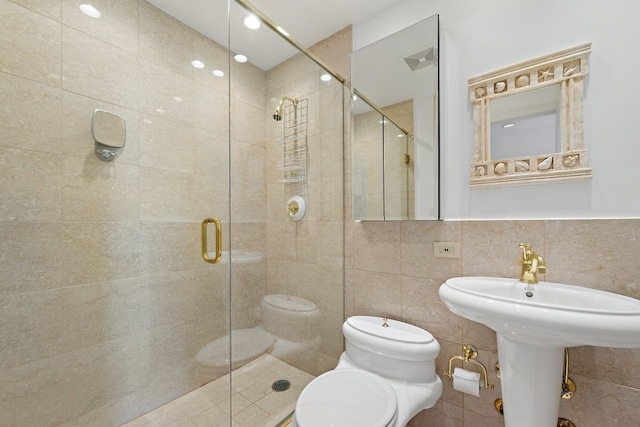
[398,351]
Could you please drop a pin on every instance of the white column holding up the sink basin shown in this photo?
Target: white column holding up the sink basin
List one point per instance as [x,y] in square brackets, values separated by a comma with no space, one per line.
[531,378]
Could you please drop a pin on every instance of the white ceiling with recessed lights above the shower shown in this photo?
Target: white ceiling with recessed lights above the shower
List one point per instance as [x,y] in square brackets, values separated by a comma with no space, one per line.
[307,21]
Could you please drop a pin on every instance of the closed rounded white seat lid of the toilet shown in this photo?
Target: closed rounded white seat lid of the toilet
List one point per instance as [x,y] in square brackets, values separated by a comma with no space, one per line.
[346,398]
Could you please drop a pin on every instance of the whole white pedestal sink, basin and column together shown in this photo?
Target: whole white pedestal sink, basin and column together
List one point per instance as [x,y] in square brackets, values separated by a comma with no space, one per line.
[534,324]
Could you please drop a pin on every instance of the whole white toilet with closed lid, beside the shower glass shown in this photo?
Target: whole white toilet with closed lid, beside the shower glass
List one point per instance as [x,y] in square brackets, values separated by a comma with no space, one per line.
[385,376]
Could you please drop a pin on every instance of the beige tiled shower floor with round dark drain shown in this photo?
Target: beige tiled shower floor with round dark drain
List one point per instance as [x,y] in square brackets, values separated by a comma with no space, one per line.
[254,404]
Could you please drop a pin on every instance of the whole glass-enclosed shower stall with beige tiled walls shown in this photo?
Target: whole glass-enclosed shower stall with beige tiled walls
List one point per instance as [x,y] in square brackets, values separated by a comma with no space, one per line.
[108,308]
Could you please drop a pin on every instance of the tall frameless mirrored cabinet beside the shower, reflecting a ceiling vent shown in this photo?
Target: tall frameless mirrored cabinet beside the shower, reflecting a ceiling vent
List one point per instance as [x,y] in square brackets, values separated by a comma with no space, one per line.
[395,132]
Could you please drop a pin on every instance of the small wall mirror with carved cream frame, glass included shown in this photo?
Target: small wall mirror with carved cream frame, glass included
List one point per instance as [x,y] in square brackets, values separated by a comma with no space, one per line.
[528,121]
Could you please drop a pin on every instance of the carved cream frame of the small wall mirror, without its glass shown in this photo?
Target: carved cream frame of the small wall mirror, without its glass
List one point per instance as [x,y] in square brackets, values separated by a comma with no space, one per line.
[566,68]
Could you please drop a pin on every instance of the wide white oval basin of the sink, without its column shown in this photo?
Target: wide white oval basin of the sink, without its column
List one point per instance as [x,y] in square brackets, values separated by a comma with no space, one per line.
[548,314]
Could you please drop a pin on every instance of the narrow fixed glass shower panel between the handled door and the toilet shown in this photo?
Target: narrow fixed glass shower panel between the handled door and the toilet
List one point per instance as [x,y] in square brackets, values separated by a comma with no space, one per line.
[287,221]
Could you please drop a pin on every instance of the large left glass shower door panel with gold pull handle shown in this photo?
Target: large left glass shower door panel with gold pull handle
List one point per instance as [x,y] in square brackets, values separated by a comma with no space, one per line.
[106,308]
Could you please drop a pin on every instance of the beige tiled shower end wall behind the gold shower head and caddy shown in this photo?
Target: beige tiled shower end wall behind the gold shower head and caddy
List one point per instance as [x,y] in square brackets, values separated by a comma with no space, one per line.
[306,257]
